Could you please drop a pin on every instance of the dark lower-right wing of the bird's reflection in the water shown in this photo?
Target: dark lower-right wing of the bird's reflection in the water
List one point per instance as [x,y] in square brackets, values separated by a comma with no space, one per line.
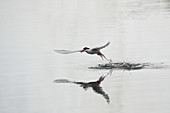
[99,90]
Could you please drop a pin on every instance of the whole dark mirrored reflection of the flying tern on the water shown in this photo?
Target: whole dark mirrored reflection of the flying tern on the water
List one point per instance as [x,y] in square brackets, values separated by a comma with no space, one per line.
[95,85]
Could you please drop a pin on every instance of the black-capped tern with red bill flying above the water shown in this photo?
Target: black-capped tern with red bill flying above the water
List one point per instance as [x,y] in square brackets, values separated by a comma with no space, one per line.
[91,51]
